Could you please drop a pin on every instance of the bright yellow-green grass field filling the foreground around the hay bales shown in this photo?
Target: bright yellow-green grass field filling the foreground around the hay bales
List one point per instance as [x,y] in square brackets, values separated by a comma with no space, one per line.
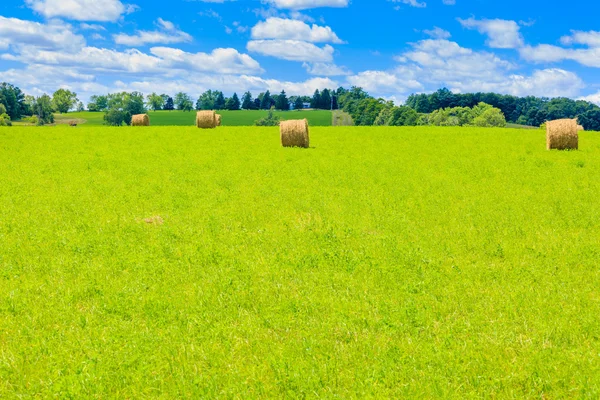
[380,263]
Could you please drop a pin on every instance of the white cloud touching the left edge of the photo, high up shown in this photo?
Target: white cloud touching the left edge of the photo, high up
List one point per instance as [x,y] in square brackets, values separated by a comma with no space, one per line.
[54,35]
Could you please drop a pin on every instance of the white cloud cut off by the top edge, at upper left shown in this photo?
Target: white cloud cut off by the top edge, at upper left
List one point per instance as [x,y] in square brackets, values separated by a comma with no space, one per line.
[81,10]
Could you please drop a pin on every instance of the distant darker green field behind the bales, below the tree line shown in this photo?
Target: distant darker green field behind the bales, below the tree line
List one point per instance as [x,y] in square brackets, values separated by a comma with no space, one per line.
[230,118]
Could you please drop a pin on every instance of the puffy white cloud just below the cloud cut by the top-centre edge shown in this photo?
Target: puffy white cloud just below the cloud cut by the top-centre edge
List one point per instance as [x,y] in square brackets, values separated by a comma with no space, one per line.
[280,28]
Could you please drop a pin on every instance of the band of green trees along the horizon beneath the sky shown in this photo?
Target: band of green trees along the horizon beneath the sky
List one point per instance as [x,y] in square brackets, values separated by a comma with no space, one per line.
[439,108]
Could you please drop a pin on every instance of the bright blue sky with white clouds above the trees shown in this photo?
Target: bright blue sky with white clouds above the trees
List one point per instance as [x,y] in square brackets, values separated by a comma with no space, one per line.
[390,48]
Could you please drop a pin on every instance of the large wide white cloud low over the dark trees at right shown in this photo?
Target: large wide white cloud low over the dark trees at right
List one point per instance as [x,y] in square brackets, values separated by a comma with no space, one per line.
[431,64]
